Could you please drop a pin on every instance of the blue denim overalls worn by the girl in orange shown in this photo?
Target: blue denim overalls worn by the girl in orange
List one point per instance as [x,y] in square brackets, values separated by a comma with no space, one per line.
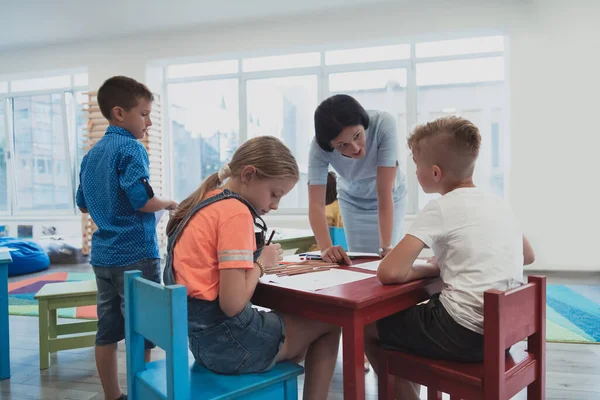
[245,343]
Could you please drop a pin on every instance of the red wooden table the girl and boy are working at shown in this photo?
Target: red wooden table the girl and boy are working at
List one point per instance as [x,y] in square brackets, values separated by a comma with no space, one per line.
[351,306]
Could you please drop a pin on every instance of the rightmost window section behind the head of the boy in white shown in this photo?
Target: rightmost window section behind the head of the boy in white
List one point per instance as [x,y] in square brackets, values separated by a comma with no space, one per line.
[472,87]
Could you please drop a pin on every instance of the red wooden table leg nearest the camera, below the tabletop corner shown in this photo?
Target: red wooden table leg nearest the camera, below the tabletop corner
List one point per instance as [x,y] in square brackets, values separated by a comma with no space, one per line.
[353,343]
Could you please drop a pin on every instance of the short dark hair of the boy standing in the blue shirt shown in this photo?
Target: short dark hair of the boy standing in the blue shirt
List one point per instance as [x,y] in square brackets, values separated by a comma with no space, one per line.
[121,91]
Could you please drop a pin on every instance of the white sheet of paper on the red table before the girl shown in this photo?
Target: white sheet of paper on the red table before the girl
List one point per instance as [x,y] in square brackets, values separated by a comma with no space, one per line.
[317,280]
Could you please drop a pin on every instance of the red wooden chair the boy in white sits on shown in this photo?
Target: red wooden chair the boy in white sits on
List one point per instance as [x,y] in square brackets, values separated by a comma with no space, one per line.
[509,317]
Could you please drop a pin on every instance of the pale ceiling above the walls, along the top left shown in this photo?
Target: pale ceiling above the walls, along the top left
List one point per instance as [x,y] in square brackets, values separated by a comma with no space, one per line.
[34,23]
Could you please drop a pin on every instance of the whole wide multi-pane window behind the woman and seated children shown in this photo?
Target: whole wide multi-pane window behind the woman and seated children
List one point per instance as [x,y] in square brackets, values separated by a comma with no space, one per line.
[237,99]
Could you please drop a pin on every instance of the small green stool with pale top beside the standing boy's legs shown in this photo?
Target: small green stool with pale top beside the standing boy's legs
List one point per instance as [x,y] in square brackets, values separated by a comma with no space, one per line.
[64,295]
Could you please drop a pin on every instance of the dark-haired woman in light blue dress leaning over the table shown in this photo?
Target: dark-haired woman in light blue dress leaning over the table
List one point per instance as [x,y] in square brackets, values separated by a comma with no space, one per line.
[362,147]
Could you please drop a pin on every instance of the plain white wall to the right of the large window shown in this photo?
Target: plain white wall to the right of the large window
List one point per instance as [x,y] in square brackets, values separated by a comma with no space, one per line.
[554,101]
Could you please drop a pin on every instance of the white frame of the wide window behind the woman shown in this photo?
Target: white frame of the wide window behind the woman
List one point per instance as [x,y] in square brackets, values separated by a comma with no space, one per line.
[322,72]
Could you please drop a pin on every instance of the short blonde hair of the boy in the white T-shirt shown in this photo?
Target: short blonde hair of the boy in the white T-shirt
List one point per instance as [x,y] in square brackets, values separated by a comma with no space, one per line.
[450,142]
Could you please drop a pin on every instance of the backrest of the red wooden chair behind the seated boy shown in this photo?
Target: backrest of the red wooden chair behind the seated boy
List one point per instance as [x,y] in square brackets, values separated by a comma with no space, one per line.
[510,317]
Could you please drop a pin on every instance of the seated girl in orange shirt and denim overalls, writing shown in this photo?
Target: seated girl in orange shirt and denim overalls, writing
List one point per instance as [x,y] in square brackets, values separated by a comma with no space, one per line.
[213,250]
